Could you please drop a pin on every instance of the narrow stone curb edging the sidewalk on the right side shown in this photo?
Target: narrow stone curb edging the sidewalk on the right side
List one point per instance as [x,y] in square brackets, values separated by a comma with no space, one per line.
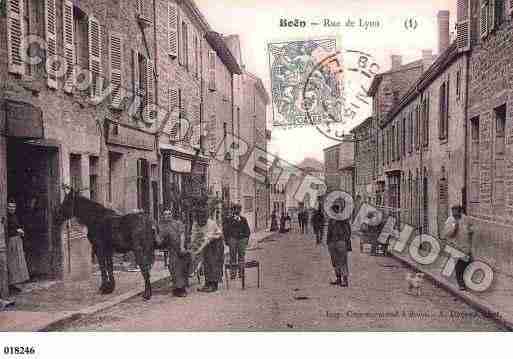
[468,298]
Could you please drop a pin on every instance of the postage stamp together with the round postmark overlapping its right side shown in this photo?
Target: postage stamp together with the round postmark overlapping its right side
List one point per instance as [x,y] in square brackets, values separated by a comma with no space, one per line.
[317,84]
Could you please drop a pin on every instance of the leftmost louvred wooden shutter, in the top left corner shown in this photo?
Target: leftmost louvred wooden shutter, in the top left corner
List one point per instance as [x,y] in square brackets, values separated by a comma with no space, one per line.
[15,32]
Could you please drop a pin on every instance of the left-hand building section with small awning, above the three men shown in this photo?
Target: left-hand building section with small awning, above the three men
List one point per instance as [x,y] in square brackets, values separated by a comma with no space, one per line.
[195,71]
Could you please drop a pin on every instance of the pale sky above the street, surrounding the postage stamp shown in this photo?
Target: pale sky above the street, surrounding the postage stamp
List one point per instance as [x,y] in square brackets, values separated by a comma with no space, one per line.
[257,22]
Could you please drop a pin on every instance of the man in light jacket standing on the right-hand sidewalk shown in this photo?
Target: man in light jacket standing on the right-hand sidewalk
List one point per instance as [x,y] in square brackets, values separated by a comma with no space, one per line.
[458,233]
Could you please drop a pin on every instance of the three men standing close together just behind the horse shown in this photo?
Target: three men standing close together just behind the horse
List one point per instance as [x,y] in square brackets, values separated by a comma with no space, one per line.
[234,231]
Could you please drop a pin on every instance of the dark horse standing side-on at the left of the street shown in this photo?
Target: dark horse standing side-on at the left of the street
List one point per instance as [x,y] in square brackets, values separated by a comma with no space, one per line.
[109,233]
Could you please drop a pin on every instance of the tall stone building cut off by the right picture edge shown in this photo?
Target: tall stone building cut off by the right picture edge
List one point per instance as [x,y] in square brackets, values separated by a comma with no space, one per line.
[489,123]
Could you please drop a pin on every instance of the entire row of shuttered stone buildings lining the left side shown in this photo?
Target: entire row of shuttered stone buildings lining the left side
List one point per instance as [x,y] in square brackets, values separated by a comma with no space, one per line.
[124,101]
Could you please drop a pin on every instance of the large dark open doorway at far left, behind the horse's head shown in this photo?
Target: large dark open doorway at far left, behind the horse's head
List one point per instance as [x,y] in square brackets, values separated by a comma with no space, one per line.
[33,180]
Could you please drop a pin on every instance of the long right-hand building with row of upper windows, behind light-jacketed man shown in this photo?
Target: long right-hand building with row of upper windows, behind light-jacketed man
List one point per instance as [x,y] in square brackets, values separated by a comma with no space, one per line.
[424,148]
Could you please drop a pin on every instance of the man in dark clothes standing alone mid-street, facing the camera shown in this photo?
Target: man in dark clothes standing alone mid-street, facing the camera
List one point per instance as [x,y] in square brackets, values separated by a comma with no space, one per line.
[339,244]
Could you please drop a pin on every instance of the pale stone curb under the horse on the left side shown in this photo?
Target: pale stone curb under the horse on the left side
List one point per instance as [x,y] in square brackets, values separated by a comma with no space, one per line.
[72,316]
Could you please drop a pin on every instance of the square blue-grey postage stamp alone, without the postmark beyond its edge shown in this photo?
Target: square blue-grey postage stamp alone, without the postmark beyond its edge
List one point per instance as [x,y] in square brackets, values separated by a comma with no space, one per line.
[292,64]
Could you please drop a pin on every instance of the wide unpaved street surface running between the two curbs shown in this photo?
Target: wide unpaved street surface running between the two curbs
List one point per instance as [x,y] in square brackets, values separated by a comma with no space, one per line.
[296,295]
